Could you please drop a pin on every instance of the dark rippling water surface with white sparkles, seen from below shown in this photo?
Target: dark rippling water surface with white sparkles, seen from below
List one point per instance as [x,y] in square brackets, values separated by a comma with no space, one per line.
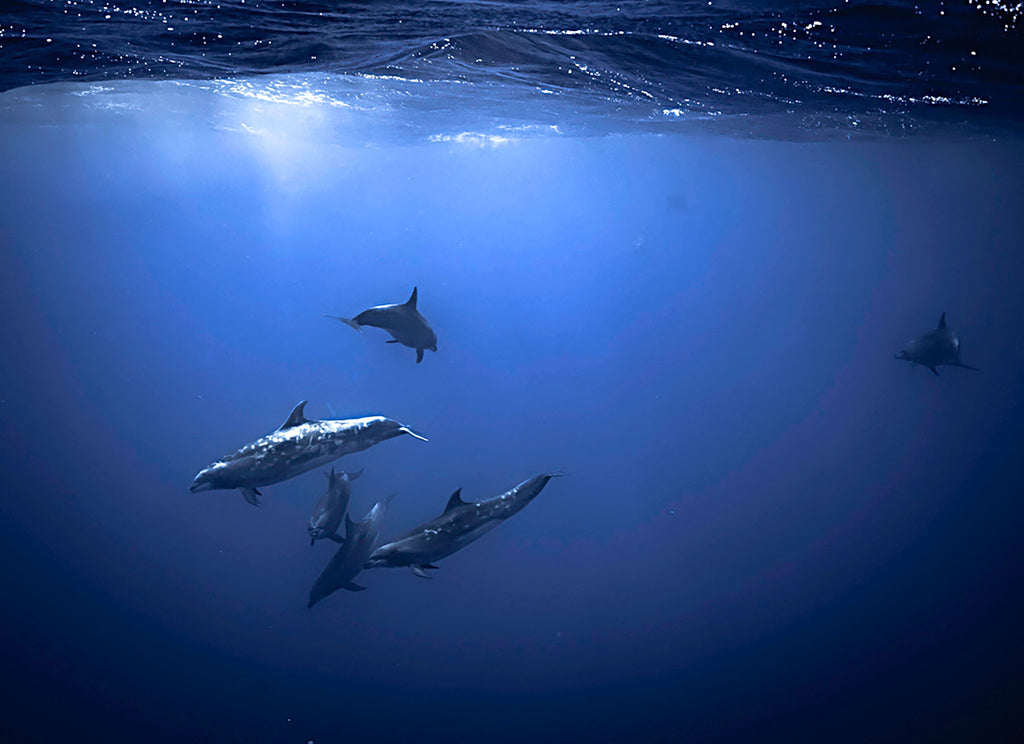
[893,67]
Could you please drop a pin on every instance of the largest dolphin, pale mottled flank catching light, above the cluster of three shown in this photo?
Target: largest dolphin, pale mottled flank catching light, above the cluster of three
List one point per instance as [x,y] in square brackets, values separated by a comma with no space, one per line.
[298,446]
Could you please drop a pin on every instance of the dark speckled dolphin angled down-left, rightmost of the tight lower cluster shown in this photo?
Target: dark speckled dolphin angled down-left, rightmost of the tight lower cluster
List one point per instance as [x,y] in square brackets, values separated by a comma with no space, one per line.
[460,523]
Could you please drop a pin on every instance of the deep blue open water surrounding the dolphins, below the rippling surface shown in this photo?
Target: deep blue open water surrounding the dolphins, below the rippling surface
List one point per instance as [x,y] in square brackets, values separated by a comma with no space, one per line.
[771,529]
